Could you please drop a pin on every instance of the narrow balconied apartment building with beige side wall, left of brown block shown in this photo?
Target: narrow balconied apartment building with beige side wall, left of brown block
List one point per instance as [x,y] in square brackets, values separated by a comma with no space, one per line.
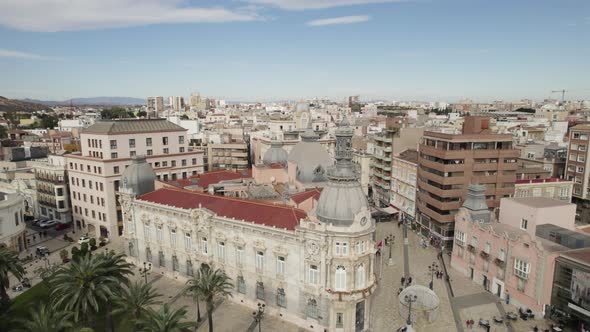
[395,138]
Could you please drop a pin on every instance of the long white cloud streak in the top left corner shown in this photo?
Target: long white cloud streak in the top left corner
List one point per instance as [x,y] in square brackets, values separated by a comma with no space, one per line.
[62,15]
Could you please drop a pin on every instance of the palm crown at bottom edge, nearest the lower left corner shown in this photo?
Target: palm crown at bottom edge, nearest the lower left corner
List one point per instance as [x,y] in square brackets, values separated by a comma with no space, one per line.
[45,318]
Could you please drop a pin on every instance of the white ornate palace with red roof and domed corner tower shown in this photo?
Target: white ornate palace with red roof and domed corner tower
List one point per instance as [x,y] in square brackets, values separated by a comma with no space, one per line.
[316,273]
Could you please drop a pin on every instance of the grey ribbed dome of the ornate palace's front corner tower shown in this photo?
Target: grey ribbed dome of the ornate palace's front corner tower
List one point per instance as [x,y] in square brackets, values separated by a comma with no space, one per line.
[340,202]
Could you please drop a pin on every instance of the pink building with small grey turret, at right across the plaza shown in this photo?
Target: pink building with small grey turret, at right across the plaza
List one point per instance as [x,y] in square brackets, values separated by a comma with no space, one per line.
[506,256]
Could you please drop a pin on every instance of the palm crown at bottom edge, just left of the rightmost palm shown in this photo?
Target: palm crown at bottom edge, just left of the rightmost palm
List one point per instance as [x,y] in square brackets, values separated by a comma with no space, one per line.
[164,320]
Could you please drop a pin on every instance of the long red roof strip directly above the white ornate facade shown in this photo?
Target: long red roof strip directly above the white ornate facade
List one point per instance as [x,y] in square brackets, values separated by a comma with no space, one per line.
[253,211]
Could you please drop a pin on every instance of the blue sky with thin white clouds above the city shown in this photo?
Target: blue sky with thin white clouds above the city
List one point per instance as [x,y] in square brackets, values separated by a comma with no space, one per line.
[263,50]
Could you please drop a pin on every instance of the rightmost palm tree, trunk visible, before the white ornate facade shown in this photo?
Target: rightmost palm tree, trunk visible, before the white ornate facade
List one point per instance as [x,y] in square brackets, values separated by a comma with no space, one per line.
[209,284]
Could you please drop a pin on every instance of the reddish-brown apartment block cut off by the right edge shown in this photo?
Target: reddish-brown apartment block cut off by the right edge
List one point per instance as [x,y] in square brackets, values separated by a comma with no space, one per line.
[577,170]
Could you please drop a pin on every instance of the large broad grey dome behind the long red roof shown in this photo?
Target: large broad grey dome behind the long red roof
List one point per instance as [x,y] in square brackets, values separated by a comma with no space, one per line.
[312,161]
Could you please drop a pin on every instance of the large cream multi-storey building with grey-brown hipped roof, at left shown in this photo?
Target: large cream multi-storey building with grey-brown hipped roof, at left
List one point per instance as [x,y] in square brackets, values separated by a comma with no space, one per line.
[107,149]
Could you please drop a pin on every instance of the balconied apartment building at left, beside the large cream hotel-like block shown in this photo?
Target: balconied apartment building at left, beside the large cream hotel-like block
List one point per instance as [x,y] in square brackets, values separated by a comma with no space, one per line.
[53,196]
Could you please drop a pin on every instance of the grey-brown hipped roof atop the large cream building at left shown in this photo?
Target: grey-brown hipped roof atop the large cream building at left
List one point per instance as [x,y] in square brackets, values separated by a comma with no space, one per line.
[128,126]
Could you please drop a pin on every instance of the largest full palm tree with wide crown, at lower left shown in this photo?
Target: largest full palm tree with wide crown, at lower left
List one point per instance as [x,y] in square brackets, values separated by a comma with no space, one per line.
[87,284]
